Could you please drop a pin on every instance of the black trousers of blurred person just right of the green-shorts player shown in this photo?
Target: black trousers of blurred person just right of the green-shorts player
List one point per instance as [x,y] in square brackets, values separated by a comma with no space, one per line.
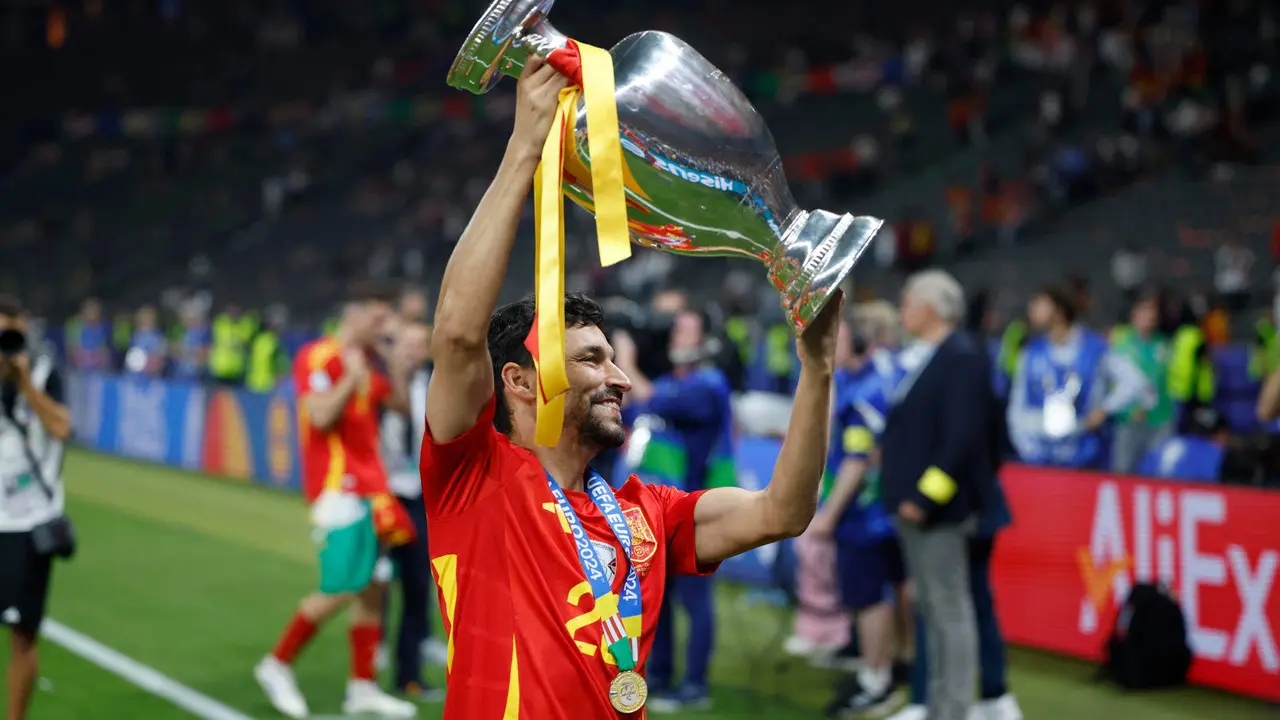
[413,564]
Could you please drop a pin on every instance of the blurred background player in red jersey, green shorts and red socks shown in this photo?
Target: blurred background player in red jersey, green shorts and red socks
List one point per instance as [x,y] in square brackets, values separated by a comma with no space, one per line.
[354,514]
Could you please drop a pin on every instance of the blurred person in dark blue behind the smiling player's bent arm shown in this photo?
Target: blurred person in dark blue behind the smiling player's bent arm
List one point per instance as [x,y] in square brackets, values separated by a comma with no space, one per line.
[683,436]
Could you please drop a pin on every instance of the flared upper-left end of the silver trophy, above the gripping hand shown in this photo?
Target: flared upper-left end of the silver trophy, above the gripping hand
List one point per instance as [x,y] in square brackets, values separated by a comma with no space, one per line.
[501,43]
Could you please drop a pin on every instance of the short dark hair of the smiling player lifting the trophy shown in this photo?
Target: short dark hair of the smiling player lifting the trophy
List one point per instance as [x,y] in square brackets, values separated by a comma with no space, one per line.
[509,329]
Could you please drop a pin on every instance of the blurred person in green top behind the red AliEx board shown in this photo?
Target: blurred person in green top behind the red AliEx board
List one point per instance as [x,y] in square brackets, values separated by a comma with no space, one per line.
[1142,426]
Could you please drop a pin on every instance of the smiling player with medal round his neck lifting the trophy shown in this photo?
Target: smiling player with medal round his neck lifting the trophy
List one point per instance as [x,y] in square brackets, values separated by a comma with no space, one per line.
[551,585]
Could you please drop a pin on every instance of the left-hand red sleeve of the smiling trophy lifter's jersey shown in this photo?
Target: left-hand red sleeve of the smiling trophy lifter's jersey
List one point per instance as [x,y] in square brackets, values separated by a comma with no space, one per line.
[458,473]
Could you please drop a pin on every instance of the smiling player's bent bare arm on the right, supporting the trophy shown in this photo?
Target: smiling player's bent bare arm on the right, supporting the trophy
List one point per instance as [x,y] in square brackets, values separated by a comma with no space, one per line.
[734,521]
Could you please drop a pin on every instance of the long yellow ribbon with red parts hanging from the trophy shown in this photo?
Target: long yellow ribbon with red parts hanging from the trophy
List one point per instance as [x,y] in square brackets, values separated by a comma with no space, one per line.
[595,79]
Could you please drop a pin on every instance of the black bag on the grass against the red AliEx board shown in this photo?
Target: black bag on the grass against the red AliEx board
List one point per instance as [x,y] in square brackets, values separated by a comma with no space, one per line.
[1149,648]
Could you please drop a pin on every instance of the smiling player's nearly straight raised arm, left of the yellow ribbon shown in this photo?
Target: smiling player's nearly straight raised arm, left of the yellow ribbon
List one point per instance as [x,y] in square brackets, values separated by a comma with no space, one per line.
[463,379]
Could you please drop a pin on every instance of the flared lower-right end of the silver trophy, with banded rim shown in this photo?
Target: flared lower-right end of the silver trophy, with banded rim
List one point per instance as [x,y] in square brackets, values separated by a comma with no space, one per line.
[819,253]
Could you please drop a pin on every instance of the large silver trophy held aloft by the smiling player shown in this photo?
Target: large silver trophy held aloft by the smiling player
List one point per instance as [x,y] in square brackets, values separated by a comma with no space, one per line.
[705,175]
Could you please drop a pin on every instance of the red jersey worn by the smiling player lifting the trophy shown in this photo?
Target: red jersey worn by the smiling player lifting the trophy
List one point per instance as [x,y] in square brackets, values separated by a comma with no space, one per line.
[523,635]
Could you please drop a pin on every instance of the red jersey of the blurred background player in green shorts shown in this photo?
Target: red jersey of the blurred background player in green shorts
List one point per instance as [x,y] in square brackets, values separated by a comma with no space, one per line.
[346,455]
